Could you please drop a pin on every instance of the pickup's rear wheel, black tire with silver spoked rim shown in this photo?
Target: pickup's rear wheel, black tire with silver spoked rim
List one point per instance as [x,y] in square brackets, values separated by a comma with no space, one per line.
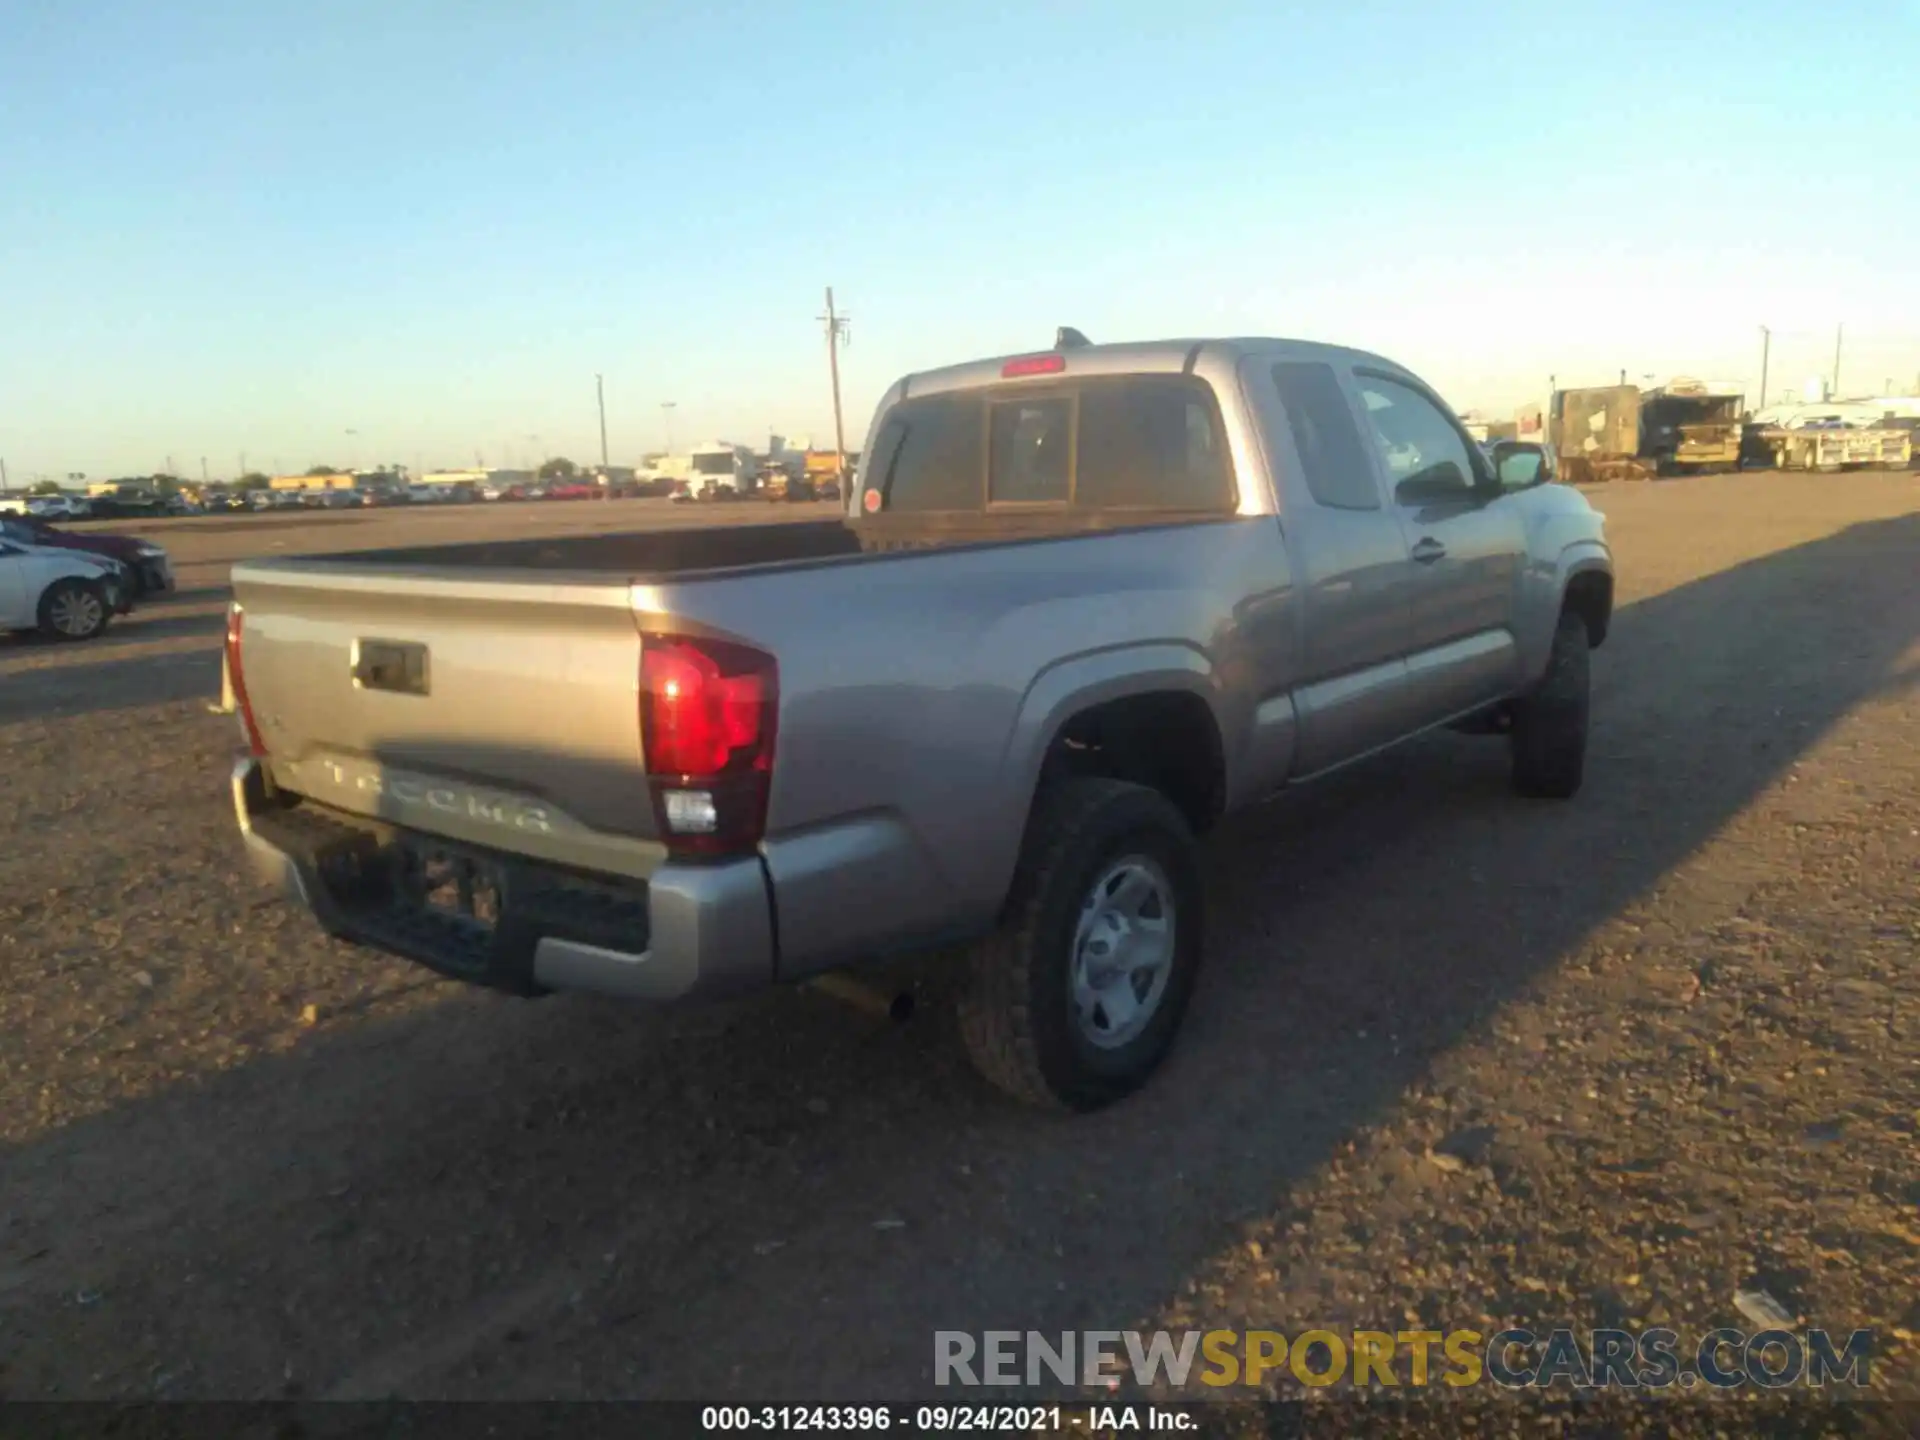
[1080,994]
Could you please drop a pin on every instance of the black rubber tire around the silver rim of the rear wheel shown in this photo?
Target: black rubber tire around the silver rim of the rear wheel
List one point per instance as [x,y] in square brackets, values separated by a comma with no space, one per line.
[1017,1015]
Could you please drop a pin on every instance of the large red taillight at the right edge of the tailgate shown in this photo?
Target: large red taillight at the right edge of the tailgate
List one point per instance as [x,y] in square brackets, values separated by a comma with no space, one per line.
[708,715]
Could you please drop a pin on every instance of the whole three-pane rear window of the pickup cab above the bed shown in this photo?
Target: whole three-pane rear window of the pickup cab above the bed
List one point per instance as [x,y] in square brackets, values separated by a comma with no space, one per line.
[1149,443]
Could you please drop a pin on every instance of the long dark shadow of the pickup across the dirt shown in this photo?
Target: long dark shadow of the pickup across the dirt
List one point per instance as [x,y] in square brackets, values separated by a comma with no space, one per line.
[780,1199]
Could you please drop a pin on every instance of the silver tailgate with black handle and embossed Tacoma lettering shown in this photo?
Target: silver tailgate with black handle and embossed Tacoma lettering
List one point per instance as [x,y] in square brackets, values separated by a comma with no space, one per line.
[492,709]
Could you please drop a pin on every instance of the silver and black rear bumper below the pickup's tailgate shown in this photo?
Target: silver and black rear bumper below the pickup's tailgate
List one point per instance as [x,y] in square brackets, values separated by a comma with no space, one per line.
[686,932]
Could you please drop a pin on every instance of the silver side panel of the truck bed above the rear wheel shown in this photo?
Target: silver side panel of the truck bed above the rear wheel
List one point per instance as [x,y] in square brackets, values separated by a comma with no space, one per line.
[936,748]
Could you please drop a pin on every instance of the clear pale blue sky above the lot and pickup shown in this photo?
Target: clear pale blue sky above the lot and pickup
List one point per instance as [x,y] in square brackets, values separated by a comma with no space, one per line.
[235,228]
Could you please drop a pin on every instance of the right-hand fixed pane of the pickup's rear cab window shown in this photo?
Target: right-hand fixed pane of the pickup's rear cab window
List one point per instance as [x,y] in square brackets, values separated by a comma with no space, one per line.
[1151,443]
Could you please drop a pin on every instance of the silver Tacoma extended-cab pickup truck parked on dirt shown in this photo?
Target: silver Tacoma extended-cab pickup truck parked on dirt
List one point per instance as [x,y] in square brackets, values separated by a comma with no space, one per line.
[1080,606]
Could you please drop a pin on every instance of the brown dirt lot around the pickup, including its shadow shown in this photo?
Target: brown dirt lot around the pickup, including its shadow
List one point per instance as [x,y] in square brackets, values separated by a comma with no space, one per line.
[1458,1059]
